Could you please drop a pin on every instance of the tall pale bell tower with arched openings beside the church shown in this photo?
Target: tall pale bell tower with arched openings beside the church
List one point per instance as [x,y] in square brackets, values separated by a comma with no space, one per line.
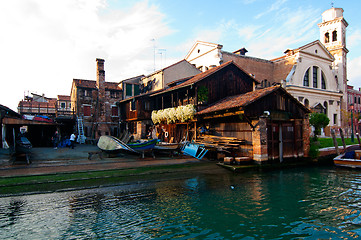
[333,37]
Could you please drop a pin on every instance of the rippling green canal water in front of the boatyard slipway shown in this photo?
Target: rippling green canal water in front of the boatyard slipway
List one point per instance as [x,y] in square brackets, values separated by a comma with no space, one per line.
[299,203]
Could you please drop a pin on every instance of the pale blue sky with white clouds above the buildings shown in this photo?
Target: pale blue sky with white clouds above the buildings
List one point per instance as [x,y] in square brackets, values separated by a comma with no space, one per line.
[45,44]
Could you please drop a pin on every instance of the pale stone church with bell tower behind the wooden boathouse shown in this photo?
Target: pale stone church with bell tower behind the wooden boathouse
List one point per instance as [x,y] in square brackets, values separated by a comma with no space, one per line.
[315,74]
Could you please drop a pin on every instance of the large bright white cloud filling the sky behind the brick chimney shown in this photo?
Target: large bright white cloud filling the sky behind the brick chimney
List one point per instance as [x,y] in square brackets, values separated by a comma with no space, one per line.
[47,43]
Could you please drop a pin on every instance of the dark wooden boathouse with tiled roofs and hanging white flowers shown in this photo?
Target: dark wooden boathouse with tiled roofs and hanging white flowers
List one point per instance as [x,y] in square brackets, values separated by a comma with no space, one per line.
[222,109]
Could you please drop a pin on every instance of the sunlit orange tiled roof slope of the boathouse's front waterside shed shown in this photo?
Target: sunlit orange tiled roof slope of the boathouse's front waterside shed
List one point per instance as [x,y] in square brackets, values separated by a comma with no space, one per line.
[241,100]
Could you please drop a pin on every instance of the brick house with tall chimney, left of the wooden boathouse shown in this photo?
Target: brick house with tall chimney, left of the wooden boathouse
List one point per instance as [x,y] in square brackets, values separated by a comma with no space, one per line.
[94,104]
